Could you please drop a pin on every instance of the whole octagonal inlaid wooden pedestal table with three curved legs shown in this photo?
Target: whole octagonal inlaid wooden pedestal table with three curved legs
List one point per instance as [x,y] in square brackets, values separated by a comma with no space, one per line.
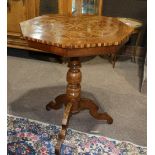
[75,37]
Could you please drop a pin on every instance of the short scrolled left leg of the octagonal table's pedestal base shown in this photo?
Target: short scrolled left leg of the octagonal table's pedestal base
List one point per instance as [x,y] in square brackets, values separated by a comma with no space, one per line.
[59,101]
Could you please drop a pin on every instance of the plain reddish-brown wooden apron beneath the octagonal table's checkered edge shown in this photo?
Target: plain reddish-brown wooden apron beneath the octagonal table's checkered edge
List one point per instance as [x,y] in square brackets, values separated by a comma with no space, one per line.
[75,52]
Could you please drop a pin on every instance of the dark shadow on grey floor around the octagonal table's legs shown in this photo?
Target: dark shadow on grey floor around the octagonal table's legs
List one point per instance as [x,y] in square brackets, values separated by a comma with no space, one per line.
[32,105]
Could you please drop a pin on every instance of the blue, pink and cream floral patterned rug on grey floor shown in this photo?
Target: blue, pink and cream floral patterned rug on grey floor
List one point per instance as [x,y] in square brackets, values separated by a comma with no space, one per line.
[29,137]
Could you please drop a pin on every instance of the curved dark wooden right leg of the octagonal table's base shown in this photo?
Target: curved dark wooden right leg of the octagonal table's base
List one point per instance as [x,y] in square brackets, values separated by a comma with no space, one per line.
[93,108]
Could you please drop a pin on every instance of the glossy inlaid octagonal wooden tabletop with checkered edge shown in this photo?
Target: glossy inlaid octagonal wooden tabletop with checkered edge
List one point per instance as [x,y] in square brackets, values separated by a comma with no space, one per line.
[75,32]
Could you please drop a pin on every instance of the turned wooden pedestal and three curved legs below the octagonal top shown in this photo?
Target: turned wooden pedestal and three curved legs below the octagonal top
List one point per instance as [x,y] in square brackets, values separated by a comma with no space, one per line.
[73,102]
